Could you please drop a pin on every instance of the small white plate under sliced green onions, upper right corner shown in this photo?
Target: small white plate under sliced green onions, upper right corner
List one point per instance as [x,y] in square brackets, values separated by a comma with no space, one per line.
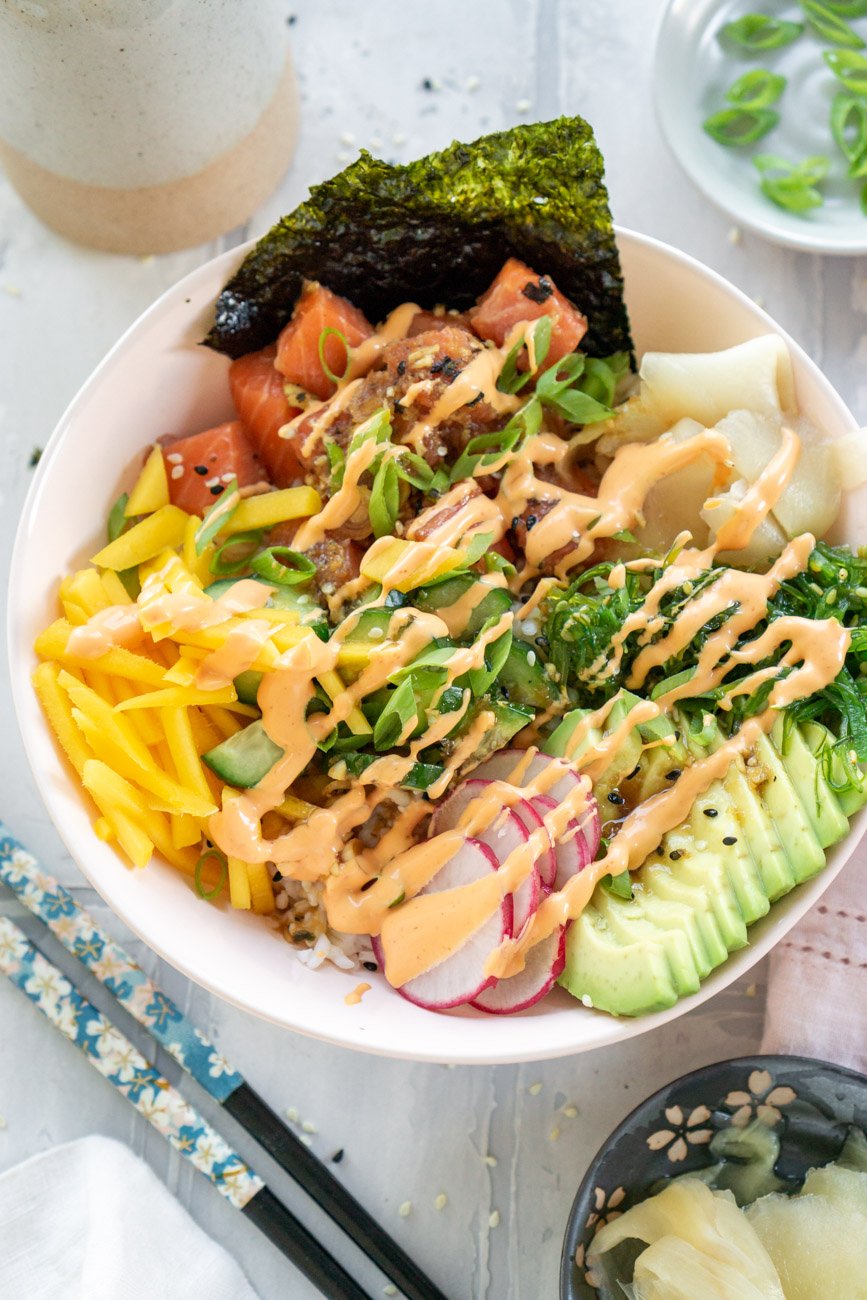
[692,73]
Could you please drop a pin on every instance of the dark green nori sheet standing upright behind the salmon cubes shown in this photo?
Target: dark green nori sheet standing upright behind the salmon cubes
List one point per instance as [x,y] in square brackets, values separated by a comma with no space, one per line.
[437,231]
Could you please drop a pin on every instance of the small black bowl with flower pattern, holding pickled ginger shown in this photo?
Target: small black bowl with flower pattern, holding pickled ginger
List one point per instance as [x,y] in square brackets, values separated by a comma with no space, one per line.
[810,1104]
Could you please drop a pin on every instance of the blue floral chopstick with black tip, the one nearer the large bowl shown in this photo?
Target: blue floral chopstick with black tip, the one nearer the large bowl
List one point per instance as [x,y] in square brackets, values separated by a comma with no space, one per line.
[154,1009]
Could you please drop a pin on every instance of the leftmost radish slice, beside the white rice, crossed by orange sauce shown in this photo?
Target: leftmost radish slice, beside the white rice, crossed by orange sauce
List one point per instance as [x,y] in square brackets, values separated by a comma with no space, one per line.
[461,977]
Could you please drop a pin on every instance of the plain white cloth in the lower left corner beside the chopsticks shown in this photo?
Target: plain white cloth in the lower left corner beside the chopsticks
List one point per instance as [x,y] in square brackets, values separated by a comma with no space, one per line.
[90,1221]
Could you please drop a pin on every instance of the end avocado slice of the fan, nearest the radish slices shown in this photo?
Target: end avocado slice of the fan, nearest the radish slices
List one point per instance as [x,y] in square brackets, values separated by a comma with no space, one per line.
[625,980]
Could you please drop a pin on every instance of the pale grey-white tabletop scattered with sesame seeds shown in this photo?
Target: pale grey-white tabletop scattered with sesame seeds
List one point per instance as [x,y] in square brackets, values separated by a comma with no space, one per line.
[409,1132]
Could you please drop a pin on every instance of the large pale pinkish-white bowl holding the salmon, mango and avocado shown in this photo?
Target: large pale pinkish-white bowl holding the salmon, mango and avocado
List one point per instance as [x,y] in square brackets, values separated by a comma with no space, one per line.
[158,379]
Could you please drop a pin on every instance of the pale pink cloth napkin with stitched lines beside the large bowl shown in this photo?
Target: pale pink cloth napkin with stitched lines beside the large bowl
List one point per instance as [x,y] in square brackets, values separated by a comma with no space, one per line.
[818,985]
